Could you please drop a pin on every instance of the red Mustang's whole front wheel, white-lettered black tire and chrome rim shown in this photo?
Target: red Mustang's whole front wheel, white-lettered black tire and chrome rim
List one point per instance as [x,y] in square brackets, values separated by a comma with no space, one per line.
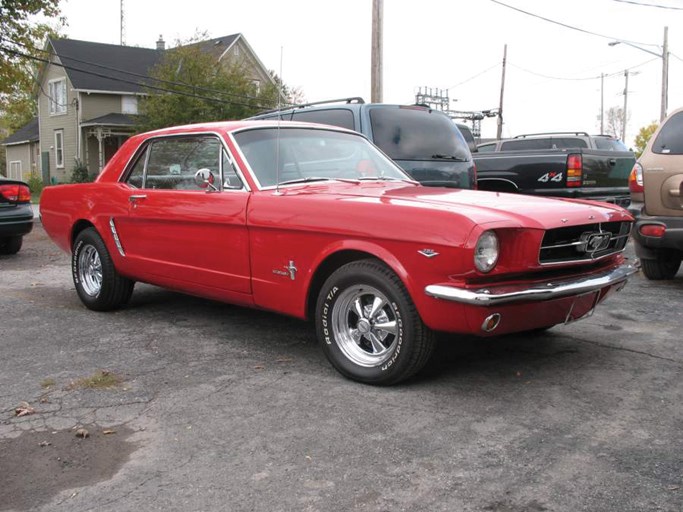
[384,344]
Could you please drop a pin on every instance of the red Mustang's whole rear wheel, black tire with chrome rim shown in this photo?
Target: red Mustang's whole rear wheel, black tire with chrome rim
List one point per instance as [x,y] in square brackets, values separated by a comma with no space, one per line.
[99,286]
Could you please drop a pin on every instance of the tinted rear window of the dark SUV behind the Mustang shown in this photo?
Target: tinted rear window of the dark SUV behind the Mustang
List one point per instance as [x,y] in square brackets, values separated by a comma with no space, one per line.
[415,133]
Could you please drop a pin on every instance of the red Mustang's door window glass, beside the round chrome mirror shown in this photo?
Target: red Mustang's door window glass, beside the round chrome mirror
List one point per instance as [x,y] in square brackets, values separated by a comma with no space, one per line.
[173,162]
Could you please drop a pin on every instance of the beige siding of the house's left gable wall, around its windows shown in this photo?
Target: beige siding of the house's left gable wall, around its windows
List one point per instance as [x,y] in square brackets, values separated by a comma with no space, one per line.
[49,123]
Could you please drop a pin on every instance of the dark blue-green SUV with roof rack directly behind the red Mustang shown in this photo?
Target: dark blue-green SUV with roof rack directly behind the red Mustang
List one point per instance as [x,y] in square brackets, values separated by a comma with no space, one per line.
[424,142]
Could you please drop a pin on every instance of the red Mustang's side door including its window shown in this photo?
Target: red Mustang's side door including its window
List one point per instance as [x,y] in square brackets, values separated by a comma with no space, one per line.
[182,233]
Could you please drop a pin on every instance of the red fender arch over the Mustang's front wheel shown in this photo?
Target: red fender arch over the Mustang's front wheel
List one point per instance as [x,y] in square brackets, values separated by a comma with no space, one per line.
[340,256]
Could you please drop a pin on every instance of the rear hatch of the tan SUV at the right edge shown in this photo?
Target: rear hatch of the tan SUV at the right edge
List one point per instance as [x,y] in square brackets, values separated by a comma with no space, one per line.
[663,169]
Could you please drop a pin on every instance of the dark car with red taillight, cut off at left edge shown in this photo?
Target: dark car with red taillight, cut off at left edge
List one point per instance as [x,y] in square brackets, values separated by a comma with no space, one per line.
[16,215]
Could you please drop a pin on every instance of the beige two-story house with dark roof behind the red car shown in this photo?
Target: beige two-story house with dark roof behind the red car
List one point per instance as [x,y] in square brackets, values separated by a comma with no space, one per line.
[88,99]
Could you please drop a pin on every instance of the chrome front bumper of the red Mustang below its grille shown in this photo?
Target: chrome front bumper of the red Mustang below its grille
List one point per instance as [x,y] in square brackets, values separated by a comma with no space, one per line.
[505,294]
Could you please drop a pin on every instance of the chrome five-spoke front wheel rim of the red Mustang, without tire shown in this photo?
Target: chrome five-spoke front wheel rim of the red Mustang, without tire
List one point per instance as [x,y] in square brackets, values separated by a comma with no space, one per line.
[366,325]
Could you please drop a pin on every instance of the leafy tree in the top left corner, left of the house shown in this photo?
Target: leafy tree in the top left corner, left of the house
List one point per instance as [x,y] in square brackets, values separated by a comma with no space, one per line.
[21,38]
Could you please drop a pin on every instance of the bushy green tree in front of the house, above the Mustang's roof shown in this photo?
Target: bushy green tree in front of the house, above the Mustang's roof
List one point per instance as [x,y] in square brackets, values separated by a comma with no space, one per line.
[197,88]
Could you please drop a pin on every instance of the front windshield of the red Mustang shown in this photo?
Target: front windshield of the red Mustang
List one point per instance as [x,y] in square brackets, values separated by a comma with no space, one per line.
[294,155]
